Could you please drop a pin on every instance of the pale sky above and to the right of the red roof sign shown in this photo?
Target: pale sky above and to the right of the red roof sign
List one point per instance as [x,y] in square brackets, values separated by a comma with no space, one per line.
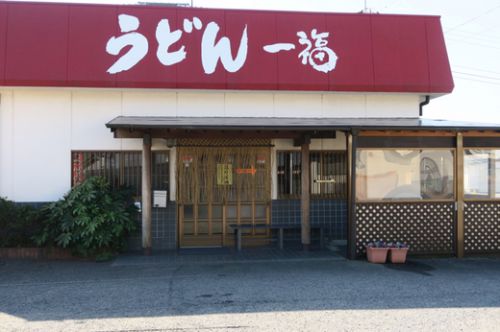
[472,34]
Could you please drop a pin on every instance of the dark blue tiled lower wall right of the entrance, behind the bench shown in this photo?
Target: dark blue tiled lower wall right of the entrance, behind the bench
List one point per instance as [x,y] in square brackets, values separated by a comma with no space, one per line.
[331,213]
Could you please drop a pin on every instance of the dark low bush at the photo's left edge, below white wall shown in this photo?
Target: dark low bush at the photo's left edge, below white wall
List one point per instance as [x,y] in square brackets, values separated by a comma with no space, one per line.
[18,224]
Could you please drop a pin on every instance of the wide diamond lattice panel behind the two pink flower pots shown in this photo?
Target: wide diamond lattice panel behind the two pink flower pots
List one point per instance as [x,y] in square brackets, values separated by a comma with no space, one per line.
[427,227]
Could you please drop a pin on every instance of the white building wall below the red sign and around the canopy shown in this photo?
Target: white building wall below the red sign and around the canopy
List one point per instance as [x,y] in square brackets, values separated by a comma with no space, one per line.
[39,127]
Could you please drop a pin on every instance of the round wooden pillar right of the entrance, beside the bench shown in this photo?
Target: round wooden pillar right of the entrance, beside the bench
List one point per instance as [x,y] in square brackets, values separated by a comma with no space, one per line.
[305,196]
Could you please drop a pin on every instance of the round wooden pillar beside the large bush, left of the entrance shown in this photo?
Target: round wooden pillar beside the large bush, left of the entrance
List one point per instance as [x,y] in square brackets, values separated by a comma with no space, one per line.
[147,237]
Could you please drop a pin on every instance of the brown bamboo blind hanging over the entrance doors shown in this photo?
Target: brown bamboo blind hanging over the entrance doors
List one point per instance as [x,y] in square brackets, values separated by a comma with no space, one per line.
[223,174]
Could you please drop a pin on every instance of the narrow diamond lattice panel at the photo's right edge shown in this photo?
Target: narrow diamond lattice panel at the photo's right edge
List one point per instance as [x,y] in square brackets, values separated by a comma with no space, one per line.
[482,227]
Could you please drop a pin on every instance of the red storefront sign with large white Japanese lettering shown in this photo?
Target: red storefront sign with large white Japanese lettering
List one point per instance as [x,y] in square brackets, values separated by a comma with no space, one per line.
[165,47]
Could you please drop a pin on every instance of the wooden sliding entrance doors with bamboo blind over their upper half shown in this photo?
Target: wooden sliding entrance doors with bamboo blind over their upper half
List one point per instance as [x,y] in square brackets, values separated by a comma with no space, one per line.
[244,189]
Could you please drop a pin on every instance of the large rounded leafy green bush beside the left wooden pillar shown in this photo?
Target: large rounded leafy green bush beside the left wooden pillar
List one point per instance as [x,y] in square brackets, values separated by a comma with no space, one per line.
[91,219]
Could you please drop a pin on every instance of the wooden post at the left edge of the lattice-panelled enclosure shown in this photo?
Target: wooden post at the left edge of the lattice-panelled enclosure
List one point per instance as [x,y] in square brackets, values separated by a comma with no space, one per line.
[351,183]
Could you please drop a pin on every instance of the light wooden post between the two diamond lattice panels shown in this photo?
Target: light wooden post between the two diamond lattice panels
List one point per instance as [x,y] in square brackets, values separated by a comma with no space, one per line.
[460,196]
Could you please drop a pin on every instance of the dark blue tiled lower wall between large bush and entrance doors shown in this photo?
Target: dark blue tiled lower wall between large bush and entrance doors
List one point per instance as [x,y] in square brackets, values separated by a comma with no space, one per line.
[164,228]
